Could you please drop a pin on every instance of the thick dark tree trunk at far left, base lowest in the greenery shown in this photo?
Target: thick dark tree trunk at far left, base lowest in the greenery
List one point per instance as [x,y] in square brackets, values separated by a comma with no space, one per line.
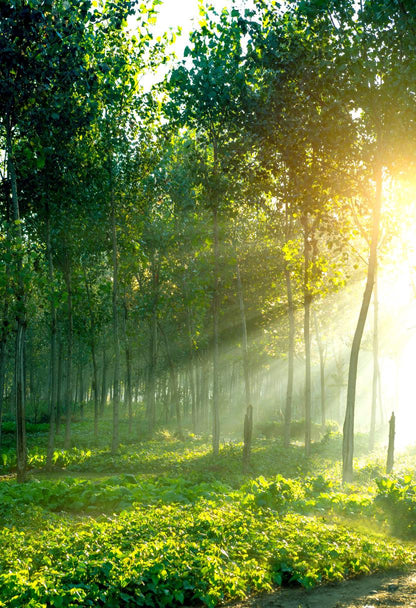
[21,450]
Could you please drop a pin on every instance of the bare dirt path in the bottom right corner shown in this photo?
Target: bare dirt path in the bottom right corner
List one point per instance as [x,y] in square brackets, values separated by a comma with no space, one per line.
[392,589]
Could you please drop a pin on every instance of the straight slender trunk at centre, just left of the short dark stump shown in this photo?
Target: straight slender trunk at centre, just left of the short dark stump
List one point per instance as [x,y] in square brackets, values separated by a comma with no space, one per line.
[216,371]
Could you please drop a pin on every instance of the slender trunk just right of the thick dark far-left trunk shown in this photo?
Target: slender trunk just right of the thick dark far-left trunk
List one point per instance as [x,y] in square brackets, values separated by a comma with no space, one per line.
[53,383]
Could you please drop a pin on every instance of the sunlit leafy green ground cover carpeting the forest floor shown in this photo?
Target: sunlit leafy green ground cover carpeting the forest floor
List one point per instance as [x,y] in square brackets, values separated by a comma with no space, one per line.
[179,527]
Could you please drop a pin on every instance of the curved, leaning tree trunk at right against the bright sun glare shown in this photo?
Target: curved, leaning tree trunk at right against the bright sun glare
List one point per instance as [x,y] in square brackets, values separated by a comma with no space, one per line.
[348,431]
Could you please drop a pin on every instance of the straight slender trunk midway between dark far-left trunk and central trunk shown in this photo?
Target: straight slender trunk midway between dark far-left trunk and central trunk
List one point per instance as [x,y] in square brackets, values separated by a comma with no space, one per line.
[116,341]
